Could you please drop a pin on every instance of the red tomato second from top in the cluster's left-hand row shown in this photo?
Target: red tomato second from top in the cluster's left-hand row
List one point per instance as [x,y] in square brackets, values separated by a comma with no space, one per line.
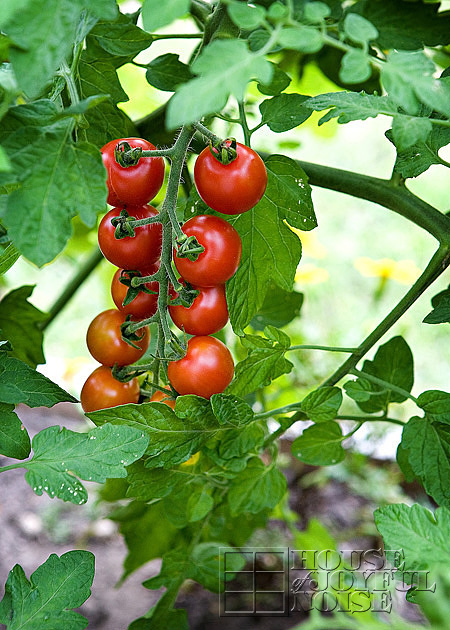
[132,252]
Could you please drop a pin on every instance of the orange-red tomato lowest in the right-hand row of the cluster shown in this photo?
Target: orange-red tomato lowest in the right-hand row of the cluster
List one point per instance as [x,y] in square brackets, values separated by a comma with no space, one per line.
[206,369]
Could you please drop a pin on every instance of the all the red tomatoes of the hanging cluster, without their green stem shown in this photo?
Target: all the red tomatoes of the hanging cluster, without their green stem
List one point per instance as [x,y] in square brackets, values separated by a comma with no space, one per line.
[207,367]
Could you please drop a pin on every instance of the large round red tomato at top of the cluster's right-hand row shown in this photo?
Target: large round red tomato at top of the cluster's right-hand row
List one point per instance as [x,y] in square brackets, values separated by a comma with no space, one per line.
[231,188]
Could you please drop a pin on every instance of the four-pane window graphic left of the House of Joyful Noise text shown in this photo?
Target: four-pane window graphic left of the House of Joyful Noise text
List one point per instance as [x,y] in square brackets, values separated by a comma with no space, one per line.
[260,588]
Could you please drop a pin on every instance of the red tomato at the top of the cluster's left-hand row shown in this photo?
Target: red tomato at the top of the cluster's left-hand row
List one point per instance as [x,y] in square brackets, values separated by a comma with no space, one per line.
[134,185]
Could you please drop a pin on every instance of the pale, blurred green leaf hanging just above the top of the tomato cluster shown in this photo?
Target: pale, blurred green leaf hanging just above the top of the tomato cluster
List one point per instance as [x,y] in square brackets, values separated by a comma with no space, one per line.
[225,67]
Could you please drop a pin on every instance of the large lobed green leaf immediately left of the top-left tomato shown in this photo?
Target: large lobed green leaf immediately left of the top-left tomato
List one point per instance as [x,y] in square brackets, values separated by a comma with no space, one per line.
[60,178]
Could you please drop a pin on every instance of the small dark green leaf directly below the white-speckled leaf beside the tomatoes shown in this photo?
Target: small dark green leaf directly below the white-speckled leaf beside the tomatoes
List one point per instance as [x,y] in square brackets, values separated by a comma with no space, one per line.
[279,308]
